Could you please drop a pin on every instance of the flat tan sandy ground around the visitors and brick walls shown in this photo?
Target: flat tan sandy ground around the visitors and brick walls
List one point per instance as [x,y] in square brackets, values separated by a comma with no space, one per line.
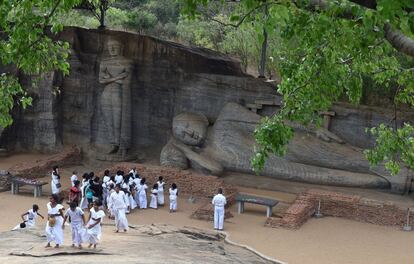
[328,240]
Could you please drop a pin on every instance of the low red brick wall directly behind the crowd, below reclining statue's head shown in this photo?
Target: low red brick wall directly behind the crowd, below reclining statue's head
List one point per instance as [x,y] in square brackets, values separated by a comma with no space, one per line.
[188,183]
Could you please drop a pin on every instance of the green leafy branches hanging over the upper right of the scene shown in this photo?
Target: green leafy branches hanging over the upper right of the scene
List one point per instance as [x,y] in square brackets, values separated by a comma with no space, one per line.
[326,51]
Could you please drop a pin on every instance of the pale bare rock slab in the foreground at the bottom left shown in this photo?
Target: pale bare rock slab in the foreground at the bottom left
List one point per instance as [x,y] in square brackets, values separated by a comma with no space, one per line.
[143,244]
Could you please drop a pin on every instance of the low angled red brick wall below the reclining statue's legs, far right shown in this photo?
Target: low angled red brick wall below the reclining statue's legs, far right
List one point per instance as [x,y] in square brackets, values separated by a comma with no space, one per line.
[353,207]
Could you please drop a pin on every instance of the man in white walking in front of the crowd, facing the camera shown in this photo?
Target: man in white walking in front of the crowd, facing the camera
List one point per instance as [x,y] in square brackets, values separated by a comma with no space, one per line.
[118,202]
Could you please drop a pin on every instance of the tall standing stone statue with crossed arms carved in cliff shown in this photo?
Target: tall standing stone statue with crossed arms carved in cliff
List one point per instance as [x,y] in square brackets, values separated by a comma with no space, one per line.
[114,74]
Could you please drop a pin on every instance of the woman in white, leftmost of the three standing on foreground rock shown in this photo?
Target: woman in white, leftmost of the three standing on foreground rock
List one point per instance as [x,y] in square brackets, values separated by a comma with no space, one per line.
[54,232]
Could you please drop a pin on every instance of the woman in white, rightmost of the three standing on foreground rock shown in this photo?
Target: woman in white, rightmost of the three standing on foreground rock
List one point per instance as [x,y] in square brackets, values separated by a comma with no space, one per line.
[94,229]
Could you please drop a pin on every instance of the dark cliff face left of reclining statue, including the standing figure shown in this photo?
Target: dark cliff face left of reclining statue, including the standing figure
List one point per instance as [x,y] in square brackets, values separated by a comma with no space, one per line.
[161,79]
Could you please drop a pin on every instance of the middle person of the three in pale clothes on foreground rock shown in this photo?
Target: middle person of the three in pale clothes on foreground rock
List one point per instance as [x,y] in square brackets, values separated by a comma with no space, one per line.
[77,221]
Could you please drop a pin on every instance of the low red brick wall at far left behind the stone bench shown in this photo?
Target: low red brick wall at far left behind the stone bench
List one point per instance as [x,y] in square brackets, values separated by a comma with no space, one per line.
[40,168]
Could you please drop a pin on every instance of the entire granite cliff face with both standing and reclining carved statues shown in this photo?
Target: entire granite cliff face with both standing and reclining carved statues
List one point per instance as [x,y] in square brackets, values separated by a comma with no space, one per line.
[124,91]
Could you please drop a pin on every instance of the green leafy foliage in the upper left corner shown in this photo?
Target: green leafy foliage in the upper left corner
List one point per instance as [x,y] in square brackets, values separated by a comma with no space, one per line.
[26,47]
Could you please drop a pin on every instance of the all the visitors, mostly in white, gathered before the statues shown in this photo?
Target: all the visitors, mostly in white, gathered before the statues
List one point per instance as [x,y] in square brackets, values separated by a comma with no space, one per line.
[118,195]
